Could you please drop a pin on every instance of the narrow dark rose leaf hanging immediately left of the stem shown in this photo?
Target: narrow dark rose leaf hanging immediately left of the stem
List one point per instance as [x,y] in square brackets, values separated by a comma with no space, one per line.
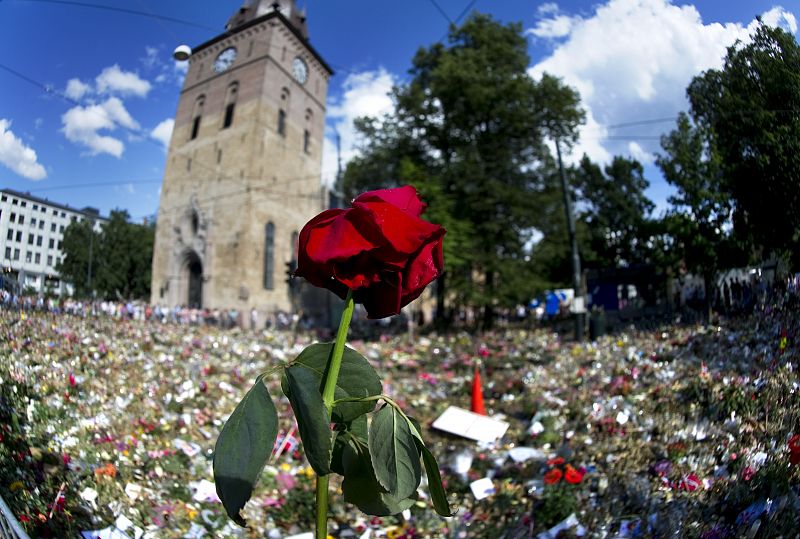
[313,421]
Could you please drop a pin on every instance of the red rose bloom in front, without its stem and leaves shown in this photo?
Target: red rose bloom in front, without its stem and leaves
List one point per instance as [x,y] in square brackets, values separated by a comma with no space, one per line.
[380,249]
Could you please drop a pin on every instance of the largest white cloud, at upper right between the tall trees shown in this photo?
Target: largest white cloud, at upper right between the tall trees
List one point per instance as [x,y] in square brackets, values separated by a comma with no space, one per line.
[632,60]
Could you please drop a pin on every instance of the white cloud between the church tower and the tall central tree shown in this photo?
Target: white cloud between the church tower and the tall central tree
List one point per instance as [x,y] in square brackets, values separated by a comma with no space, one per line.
[363,94]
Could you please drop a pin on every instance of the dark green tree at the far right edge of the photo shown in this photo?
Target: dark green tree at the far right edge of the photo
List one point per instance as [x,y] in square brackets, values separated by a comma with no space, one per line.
[749,109]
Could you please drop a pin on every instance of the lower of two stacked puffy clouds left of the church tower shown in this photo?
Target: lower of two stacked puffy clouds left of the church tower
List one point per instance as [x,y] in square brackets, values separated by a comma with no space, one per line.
[83,124]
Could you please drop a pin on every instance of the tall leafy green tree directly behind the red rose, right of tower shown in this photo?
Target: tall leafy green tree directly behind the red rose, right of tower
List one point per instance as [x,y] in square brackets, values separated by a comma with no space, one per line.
[470,125]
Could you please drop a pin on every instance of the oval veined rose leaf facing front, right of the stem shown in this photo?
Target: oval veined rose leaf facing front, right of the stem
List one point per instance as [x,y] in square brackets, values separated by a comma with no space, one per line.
[395,457]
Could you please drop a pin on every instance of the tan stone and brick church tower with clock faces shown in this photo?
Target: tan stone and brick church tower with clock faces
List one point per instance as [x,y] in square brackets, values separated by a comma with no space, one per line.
[244,164]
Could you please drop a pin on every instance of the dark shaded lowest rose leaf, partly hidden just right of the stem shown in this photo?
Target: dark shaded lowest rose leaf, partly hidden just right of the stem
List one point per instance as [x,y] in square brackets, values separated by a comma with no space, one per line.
[362,489]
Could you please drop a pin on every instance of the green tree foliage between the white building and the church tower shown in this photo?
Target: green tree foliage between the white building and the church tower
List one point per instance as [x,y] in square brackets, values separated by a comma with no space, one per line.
[121,257]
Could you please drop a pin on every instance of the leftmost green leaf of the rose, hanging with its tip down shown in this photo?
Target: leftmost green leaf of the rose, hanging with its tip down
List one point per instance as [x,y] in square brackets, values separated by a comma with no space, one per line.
[243,448]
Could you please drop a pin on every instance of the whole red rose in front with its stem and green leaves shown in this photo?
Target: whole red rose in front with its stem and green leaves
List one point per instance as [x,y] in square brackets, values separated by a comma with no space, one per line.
[382,254]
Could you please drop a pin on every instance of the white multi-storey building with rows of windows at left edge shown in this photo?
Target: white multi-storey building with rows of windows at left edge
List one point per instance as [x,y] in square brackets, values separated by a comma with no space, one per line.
[31,232]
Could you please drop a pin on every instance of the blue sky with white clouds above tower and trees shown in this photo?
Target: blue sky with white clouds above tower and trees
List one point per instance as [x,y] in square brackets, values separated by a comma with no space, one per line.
[103,145]
